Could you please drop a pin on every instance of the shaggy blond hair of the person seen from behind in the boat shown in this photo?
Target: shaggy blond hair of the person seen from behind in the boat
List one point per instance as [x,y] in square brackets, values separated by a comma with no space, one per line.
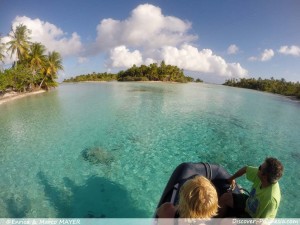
[198,198]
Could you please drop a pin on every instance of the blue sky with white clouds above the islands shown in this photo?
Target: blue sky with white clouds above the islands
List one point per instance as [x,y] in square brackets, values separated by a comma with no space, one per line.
[213,40]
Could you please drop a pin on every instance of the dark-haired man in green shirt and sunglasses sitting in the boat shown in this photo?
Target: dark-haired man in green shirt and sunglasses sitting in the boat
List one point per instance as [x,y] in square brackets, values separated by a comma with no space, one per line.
[264,198]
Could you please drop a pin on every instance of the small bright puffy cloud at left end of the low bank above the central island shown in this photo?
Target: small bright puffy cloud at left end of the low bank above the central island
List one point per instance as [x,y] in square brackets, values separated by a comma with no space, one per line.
[121,57]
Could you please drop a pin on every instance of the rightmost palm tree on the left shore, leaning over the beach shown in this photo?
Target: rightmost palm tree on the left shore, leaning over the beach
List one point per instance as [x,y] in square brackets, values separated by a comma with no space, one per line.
[52,66]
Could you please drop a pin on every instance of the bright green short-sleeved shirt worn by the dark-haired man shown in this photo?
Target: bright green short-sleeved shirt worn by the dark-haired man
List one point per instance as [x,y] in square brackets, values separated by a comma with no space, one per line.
[262,202]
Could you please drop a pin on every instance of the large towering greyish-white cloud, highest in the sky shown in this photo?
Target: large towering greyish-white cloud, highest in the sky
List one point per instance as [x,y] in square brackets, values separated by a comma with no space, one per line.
[146,28]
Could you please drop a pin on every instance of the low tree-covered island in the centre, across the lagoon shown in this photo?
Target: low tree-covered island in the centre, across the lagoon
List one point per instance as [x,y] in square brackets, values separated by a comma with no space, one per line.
[153,72]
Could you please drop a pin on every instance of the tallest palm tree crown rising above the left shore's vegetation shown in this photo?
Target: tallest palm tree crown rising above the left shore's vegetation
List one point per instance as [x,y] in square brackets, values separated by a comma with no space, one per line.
[19,42]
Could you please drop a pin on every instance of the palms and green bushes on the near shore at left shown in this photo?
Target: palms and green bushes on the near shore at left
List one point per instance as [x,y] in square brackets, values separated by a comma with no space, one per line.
[33,68]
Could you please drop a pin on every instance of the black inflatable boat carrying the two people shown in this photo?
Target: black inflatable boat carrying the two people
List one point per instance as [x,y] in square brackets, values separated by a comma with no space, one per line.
[185,171]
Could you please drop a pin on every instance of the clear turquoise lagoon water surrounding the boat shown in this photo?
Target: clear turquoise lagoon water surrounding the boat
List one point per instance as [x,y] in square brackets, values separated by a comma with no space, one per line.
[145,130]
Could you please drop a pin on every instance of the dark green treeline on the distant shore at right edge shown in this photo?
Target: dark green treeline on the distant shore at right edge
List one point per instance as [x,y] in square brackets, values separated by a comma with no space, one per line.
[281,86]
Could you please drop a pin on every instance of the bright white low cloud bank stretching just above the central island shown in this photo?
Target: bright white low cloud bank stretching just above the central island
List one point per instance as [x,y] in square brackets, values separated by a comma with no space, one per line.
[186,57]
